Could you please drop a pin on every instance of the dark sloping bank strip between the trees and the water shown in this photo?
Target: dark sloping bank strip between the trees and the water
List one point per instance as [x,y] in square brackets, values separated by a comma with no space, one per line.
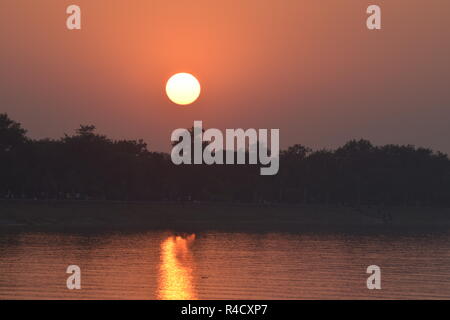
[194,217]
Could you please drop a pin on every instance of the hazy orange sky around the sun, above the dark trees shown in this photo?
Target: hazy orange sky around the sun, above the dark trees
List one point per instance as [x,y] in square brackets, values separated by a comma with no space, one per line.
[310,68]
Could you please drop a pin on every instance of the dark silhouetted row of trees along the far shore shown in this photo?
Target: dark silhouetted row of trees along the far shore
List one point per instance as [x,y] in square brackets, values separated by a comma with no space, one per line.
[91,166]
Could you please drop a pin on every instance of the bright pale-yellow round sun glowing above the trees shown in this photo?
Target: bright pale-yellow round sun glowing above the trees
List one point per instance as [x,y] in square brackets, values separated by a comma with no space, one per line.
[183,88]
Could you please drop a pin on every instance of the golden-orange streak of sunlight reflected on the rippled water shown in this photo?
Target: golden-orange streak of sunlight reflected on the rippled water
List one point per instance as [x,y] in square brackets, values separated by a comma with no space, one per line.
[176,269]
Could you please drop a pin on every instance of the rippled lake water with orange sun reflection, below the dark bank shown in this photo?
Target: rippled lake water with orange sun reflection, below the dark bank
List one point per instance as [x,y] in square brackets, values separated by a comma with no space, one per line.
[215,265]
